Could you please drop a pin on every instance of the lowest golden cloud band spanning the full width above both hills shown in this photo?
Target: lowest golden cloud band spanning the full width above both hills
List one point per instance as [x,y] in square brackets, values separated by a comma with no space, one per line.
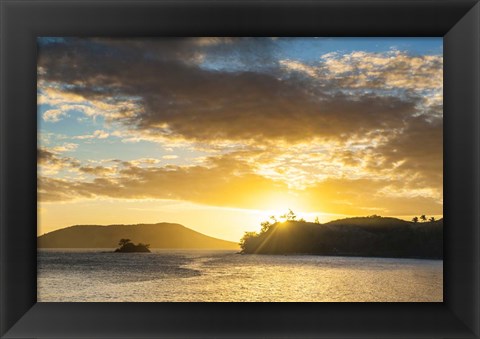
[223,181]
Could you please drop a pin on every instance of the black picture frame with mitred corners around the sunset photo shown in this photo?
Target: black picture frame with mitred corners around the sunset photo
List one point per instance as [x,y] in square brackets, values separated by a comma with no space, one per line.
[458,21]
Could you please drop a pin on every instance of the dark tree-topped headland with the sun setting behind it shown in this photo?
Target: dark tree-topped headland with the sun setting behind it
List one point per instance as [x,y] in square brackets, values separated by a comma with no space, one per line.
[365,236]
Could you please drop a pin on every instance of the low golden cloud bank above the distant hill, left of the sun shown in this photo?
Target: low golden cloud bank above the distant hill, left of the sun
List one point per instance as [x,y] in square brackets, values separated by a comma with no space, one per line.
[216,184]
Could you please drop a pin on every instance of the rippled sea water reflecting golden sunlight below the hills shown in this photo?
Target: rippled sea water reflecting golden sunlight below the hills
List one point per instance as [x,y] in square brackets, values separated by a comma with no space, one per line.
[199,275]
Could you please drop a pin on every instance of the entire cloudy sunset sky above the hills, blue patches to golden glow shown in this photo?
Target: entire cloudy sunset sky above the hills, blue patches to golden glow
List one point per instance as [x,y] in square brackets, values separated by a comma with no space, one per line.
[218,134]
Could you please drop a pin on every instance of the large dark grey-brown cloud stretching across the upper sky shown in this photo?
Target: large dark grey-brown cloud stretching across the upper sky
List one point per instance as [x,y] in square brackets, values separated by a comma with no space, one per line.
[175,99]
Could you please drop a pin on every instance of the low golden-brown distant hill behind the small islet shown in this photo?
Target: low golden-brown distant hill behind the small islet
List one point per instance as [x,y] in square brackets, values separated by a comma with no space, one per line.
[162,235]
